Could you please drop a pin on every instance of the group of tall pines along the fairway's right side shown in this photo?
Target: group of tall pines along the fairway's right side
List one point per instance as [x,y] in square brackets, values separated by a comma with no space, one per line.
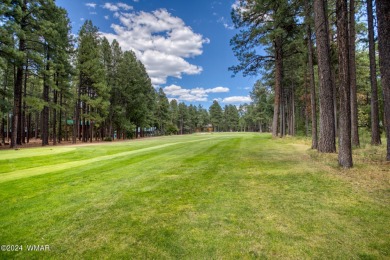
[318,58]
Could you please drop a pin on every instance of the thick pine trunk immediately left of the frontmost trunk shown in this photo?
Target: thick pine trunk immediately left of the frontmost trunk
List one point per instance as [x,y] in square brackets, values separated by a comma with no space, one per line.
[327,143]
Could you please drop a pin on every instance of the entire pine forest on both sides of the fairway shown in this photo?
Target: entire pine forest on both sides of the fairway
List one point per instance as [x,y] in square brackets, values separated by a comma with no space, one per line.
[316,62]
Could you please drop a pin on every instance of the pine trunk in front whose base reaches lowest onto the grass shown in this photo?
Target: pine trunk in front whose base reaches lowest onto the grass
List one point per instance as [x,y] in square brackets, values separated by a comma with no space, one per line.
[345,148]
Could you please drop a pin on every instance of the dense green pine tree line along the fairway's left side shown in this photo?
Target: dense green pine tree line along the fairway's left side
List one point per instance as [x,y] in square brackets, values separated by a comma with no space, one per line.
[57,87]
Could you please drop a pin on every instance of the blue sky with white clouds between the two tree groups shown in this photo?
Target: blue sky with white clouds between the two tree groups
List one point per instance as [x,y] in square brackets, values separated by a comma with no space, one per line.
[184,45]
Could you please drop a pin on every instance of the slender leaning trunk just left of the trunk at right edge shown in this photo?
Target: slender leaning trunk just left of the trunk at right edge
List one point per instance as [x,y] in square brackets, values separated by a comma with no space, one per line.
[375,130]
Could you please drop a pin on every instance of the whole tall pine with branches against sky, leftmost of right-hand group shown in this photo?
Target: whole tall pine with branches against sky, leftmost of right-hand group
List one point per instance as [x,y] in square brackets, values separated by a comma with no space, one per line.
[271,24]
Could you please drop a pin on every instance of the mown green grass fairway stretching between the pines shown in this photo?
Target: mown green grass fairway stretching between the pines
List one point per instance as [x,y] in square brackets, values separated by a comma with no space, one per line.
[223,196]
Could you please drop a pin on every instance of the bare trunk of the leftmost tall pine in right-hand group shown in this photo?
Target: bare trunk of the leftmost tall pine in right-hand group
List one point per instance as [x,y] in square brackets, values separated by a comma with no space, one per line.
[278,85]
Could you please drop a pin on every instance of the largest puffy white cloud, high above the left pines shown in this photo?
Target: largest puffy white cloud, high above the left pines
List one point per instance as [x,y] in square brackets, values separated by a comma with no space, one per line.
[161,41]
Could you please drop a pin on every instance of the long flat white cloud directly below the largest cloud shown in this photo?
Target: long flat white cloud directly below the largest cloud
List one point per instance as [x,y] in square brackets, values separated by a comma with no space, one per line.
[191,95]
